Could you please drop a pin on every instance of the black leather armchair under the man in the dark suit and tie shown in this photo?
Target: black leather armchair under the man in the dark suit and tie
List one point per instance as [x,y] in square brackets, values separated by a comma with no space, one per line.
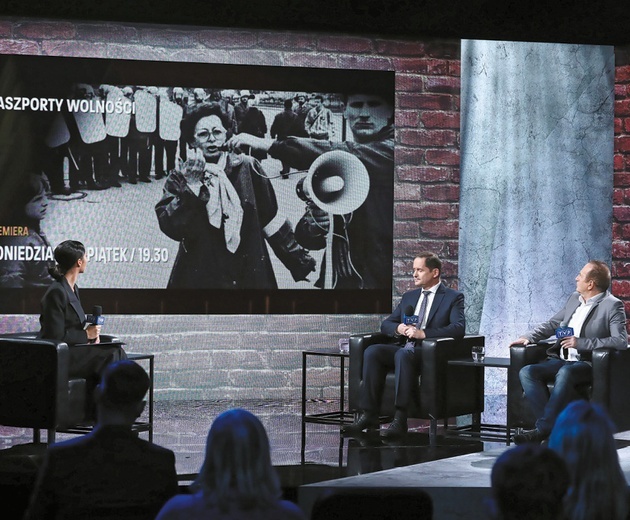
[444,390]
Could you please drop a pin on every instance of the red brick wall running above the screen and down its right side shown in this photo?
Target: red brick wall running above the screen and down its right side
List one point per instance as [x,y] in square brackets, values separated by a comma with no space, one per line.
[427,102]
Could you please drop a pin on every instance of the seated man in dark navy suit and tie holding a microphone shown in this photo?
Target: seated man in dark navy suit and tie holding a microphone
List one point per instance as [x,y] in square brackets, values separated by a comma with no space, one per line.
[440,313]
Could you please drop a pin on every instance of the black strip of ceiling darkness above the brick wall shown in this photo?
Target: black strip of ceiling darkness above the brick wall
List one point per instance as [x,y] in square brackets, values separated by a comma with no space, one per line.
[560,21]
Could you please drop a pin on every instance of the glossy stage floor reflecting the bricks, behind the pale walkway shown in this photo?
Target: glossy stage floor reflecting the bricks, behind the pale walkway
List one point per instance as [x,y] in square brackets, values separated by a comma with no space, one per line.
[182,426]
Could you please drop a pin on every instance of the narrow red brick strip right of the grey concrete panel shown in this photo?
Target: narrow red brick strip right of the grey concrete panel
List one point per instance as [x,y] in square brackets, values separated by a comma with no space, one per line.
[621,195]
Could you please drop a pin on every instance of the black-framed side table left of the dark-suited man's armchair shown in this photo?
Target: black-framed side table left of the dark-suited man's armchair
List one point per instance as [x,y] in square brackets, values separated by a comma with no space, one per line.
[336,417]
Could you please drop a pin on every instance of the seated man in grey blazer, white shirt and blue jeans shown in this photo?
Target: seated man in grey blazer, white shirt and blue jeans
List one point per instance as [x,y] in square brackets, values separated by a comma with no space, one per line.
[598,320]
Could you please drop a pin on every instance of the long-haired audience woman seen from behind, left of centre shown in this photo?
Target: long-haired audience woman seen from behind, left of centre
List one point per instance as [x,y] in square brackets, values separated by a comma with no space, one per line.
[236,480]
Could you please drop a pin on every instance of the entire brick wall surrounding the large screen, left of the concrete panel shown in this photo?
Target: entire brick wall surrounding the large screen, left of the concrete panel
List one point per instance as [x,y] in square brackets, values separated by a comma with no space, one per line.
[208,357]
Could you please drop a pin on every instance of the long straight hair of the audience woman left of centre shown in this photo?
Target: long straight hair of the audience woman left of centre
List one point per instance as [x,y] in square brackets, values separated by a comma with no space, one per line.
[237,468]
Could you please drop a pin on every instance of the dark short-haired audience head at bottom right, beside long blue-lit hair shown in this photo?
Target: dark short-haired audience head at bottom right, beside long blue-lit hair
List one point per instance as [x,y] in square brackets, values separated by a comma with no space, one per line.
[528,482]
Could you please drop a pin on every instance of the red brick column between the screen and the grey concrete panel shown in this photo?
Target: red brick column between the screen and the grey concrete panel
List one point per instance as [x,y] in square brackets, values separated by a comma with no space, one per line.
[426,207]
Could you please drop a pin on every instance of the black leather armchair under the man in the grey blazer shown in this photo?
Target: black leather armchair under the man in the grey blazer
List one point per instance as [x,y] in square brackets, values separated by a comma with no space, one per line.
[610,387]
